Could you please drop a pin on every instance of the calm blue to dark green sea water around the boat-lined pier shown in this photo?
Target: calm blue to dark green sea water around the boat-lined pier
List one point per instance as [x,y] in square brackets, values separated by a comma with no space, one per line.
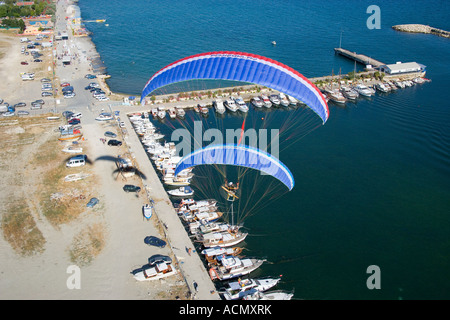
[372,184]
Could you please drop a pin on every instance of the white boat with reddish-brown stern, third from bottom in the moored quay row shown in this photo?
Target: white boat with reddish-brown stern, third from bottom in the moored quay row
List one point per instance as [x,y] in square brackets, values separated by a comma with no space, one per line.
[233,267]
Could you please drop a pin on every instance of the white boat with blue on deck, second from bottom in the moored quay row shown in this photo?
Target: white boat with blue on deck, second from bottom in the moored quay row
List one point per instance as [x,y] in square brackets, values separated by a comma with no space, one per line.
[239,289]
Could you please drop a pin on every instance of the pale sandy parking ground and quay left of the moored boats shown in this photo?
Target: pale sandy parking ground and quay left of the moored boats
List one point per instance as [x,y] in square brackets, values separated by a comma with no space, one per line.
[42,253]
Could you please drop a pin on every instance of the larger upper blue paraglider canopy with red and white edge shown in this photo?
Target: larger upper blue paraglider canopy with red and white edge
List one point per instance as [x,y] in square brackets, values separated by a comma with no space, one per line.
[245,67]
